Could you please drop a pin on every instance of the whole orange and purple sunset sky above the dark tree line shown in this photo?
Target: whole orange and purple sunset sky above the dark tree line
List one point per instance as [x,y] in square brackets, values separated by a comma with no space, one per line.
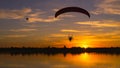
[42,29]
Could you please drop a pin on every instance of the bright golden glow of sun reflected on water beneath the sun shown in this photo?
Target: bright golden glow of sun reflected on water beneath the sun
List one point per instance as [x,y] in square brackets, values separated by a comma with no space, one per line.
[83,59]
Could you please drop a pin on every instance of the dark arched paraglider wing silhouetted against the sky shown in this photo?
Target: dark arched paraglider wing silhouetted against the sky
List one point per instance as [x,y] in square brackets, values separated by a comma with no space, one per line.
[72,9]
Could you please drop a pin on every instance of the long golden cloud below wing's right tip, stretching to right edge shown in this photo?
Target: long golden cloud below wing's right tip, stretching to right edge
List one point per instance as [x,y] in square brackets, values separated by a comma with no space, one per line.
[103,23]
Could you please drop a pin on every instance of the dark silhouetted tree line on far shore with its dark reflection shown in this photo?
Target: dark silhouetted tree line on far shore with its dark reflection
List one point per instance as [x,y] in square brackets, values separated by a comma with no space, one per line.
[53,50]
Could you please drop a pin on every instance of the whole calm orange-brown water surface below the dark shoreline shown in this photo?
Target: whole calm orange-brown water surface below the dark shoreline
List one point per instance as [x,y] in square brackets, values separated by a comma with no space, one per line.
[83,60]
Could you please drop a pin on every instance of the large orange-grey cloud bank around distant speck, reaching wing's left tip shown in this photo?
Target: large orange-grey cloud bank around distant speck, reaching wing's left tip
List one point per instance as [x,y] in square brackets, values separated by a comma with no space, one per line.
[34,15]
